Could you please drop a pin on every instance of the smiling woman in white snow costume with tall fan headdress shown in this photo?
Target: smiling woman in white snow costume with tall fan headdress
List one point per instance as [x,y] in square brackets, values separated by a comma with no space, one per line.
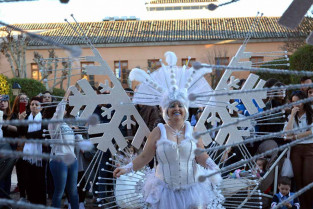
[174,184]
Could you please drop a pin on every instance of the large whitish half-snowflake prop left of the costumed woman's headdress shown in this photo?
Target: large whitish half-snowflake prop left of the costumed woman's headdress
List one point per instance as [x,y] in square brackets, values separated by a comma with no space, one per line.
[120,104]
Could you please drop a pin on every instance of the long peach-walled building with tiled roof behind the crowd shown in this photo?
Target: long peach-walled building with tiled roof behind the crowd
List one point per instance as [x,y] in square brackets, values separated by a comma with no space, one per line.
[128,44]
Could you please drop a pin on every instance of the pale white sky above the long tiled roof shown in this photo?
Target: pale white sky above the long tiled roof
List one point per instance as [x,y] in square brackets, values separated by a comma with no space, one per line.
[96,10]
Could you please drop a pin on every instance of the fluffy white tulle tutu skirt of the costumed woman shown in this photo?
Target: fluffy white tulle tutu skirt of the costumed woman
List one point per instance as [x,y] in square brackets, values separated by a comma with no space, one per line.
[158,195]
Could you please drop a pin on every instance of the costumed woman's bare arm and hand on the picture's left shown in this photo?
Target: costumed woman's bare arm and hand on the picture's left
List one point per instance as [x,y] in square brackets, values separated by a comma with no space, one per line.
[145,157]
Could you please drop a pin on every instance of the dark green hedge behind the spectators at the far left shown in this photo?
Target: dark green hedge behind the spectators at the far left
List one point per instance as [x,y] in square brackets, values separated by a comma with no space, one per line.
[29,86]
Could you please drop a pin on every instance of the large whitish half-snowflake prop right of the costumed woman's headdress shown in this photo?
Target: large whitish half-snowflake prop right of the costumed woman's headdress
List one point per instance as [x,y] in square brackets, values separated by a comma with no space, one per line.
[221,112]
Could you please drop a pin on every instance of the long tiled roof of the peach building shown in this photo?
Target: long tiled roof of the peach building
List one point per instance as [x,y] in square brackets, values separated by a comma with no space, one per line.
[119,32]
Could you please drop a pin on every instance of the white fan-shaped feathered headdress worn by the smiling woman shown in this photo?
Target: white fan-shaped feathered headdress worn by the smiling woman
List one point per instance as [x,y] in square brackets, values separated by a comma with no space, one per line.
[170,83]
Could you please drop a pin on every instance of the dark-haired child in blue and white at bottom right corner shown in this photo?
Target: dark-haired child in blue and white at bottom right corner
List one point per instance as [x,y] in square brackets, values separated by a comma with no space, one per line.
[284,186]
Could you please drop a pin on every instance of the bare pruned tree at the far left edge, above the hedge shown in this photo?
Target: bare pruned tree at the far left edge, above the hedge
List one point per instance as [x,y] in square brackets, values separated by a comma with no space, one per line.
[13,47]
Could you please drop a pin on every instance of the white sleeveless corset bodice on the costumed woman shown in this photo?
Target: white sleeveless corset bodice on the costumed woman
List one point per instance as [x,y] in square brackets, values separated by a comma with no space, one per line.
[176,163]
